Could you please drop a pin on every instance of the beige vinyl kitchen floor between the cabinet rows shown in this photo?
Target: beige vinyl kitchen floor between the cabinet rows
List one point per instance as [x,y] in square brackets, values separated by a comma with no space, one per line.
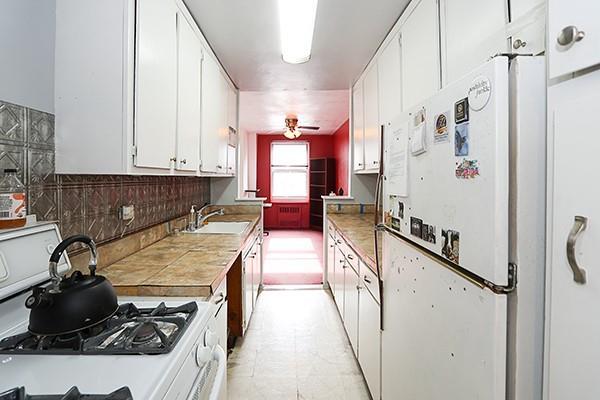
[295,349]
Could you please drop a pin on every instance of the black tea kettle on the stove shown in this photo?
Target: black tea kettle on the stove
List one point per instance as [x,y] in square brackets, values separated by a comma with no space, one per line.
[70,304]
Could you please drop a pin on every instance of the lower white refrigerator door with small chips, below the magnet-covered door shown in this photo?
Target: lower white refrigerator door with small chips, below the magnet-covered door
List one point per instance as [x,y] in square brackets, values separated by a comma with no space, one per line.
[444,337]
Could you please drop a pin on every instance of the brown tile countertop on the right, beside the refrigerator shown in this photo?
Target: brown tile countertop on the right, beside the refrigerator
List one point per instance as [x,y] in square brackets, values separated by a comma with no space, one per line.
[357,231]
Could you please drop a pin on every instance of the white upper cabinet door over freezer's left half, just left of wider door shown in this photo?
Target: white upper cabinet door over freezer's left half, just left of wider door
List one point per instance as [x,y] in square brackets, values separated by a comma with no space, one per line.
[420,54]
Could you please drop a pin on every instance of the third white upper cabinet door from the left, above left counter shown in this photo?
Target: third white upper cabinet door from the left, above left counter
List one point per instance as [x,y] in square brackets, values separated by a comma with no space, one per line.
[212,97]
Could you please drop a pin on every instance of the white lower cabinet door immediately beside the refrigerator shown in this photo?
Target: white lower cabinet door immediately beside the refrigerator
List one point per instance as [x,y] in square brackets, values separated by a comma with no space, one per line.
[369,341]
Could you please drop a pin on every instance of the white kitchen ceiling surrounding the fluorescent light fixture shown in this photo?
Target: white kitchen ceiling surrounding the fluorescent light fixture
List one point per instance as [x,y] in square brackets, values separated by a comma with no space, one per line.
[245,36]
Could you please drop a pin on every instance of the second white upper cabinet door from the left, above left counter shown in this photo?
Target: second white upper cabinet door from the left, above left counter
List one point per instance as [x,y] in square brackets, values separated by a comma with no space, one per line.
[189,91]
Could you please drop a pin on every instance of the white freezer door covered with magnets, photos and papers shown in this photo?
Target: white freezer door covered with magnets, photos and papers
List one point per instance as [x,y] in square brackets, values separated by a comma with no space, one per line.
[447,172]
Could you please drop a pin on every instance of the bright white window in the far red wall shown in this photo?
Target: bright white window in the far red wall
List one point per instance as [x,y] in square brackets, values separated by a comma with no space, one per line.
[289,171]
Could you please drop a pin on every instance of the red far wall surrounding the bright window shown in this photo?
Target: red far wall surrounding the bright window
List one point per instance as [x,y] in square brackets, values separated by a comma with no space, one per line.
[319,146]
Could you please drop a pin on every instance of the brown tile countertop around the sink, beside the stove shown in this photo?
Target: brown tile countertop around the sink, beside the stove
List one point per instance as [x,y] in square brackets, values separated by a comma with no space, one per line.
[181,265]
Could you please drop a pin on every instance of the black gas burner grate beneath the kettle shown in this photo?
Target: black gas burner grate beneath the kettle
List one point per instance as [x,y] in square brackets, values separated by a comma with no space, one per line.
[129,331]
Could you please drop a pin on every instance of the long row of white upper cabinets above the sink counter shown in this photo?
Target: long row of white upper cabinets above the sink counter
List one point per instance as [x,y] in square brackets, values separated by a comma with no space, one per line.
[129,90]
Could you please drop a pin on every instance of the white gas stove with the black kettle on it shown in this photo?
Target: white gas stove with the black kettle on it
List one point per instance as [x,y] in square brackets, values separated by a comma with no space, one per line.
[155,348]
